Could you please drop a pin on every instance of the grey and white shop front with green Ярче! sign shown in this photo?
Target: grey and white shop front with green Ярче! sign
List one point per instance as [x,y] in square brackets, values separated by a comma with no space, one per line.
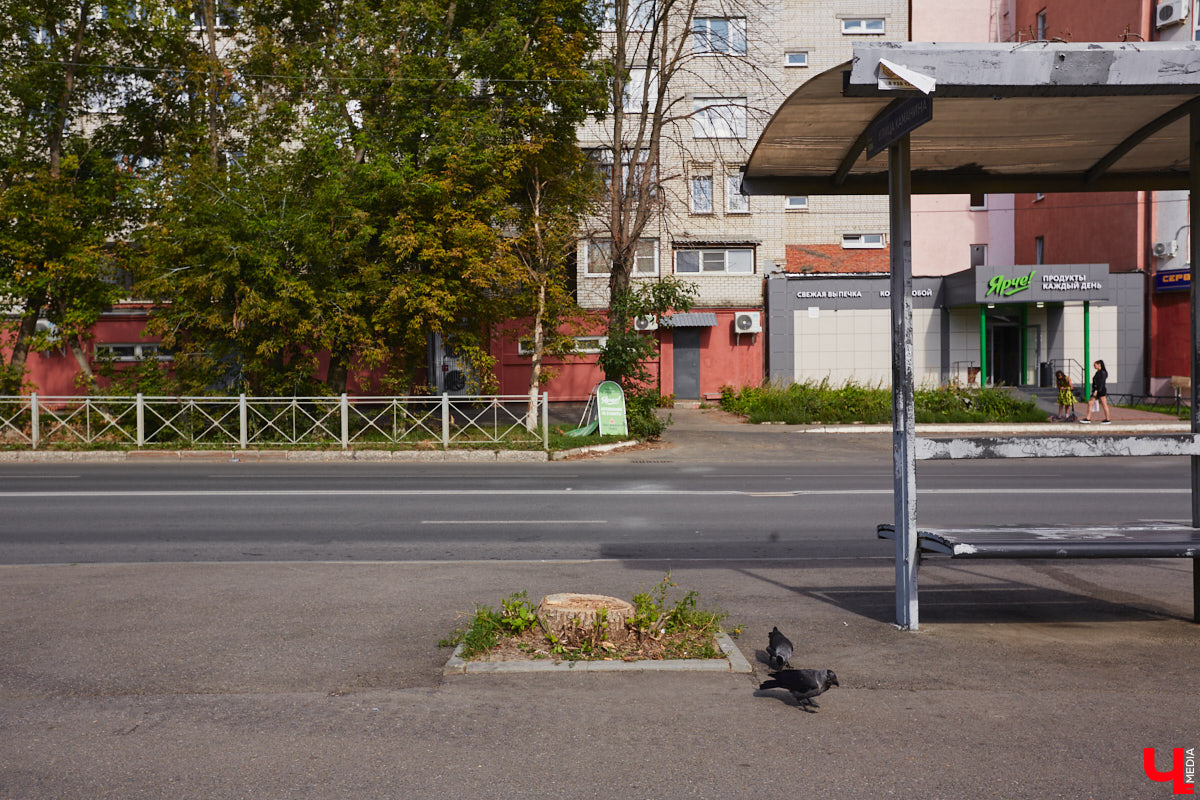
[997,326]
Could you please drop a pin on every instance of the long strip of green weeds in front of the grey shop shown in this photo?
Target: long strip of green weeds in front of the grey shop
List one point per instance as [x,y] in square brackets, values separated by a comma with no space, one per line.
[824,404]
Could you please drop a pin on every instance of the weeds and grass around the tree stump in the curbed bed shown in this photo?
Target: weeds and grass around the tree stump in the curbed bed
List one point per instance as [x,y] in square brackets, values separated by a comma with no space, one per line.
[667,624]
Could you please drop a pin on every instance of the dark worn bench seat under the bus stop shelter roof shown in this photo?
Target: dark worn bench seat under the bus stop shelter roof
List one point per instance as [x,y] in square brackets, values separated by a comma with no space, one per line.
[1139,540]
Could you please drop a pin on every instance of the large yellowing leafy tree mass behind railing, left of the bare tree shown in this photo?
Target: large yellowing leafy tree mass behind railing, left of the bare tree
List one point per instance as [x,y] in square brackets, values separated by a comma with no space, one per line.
[379,152]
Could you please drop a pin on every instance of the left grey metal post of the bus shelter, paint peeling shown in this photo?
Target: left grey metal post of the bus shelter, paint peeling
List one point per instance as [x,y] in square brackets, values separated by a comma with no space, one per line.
[904,446]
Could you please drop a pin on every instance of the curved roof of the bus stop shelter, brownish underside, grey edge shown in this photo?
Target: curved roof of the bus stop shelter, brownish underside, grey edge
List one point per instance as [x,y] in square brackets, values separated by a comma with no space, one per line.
[1037,117]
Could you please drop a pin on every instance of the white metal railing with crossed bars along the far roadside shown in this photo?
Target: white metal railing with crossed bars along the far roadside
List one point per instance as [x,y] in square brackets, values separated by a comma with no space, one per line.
[147,422]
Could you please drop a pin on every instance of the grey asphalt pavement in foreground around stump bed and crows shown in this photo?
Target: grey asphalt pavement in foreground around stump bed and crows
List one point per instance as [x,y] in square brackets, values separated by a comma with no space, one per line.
[325,681]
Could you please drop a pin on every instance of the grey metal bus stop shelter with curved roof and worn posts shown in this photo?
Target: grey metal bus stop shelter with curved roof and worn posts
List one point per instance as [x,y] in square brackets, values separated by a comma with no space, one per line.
[1033,117]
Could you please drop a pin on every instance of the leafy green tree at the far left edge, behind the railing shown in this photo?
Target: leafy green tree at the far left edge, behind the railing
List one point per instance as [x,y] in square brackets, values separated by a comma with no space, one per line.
[73,133]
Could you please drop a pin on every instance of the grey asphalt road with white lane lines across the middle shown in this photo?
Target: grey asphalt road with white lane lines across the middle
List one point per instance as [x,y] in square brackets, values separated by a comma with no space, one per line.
[823,501]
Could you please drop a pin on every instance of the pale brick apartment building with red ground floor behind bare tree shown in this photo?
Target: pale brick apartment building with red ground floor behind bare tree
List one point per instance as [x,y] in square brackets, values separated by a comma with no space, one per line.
[736,65]
